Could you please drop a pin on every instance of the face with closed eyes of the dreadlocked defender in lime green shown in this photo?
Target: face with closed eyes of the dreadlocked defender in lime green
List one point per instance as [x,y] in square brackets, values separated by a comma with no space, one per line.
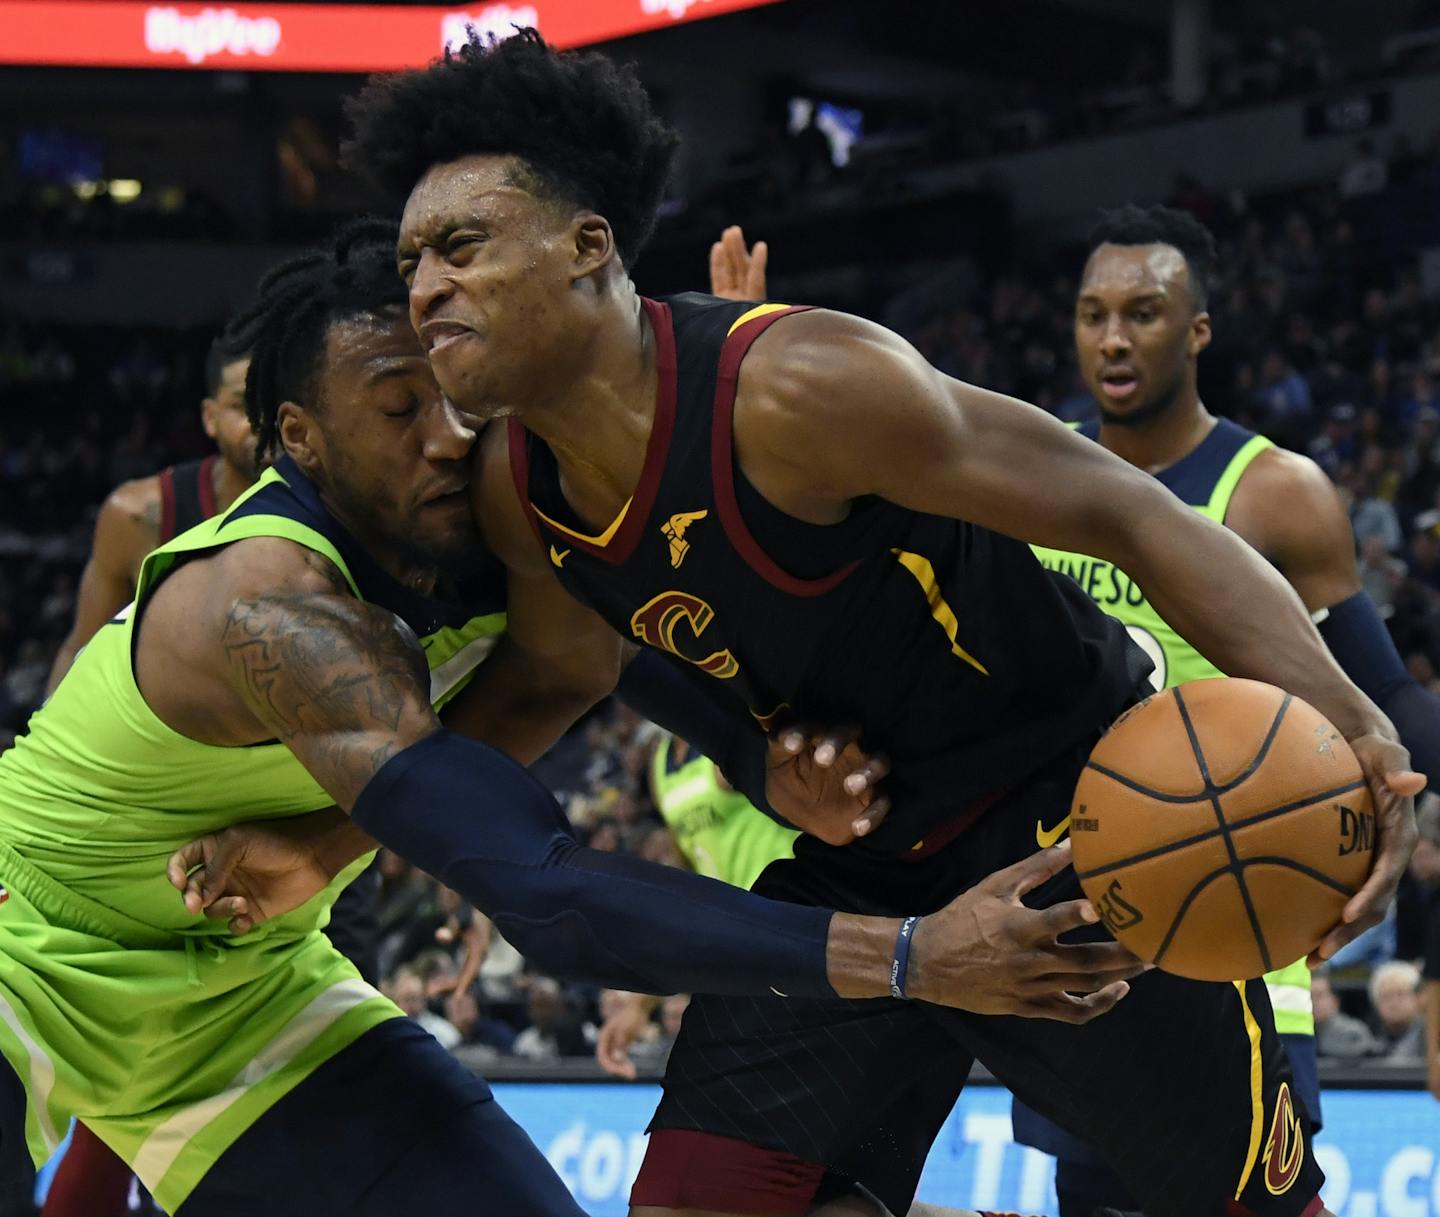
[392,452]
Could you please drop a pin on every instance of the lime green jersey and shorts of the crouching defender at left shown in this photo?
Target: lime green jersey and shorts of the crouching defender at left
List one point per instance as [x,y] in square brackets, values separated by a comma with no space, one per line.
[163,1032]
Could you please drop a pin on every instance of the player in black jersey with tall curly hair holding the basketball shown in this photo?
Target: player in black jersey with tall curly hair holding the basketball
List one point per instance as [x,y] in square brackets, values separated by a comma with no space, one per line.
[807,518]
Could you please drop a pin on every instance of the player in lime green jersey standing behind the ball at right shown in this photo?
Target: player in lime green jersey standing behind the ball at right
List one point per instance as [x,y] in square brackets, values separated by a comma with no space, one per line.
[1141,326]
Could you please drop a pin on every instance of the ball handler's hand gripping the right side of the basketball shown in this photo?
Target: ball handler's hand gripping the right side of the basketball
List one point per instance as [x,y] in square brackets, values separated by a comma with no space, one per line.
[1393,789]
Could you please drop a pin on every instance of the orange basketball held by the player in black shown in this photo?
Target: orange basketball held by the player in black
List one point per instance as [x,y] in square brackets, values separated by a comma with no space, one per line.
[1220,827]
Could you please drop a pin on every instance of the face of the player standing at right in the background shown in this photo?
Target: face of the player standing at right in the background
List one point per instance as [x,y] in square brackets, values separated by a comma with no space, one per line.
[1137,329]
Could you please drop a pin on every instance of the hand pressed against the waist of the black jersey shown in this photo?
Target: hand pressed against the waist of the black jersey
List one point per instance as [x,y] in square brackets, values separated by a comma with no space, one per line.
[826,784]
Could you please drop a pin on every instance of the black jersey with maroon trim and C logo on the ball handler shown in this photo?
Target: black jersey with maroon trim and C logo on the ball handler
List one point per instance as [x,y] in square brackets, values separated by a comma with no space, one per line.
[957,653]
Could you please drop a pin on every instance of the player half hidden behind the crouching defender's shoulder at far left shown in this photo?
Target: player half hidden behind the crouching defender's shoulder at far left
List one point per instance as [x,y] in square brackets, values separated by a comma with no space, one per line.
[145,513]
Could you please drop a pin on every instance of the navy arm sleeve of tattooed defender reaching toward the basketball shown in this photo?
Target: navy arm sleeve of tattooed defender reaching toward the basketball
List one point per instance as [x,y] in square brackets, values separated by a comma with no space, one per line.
[482,825]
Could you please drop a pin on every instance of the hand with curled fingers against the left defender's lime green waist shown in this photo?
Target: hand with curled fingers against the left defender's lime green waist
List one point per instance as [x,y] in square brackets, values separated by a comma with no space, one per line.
[250,874]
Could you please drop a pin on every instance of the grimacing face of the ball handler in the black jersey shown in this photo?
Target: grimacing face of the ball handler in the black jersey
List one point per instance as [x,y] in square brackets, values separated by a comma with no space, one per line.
[490,269]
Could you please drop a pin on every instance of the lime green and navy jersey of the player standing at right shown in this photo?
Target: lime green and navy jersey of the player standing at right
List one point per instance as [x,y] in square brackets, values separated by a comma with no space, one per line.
[1206,479]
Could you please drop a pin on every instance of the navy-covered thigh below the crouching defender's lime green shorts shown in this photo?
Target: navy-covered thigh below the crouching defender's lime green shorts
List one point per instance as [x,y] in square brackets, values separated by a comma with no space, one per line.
[392,1126]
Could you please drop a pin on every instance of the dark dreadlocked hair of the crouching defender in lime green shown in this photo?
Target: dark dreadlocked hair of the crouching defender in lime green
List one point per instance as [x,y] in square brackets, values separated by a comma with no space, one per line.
[286,325]
